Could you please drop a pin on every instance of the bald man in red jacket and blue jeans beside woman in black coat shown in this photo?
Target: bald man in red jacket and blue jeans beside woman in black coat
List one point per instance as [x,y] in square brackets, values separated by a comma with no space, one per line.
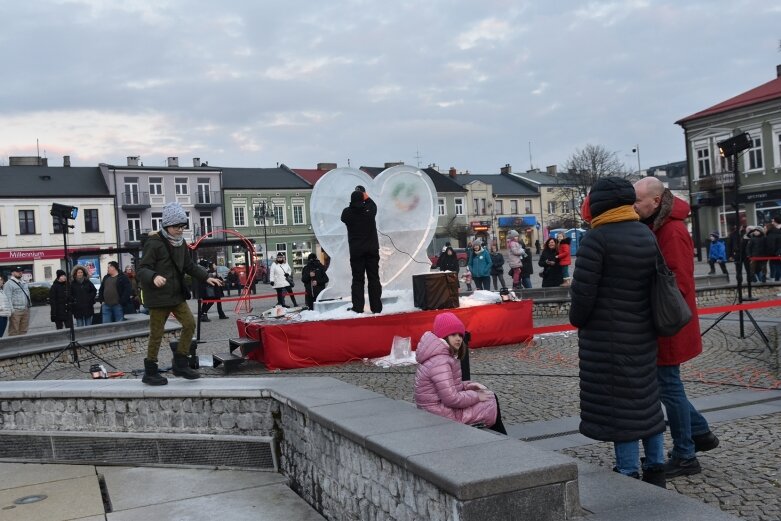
[665,214]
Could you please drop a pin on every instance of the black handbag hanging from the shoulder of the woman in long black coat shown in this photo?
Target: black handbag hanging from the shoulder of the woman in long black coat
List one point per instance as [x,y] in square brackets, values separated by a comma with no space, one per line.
[670,311]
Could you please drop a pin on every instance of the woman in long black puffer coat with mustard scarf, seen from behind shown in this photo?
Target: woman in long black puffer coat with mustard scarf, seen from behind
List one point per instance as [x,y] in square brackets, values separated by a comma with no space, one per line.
[611,307]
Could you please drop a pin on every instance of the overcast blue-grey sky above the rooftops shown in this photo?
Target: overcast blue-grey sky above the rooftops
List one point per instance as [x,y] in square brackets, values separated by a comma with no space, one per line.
[459,83]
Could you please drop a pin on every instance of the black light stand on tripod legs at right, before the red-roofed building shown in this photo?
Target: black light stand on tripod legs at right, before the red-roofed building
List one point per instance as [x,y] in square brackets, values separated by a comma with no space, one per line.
[731,148]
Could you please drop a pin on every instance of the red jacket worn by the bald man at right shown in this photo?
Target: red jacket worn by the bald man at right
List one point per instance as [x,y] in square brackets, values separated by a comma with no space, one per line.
[677,250]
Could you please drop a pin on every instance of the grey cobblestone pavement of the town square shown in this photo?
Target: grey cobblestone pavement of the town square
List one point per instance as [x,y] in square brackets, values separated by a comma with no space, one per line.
[538,381]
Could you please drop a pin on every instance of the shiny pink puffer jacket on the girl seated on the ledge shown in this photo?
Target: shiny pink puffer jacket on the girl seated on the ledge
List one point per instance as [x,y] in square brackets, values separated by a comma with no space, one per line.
[439,389]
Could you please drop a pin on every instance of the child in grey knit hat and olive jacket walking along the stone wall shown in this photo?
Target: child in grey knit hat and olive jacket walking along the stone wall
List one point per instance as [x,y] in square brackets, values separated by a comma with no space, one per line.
[165,261]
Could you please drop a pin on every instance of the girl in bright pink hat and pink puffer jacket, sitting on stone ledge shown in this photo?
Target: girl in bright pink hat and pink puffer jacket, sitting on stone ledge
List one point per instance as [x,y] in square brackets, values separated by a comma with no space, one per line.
[438,385]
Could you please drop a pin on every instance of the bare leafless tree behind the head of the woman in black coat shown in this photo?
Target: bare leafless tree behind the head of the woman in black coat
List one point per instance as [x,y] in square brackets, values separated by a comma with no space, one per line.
[584,167]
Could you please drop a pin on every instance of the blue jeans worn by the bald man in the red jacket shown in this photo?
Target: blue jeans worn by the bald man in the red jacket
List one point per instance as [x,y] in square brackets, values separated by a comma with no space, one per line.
[683,418]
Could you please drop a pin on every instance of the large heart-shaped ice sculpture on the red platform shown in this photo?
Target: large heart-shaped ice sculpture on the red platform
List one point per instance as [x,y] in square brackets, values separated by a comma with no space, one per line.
[406,200]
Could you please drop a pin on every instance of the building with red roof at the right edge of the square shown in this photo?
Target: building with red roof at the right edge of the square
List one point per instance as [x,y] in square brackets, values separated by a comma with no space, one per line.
[711,176]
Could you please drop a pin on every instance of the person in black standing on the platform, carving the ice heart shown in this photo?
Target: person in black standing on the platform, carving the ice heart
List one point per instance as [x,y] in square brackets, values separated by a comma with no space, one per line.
[364,244]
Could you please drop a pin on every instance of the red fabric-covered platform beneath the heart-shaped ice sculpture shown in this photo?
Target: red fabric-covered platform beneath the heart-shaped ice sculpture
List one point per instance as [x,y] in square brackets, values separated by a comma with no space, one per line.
[305,344]
